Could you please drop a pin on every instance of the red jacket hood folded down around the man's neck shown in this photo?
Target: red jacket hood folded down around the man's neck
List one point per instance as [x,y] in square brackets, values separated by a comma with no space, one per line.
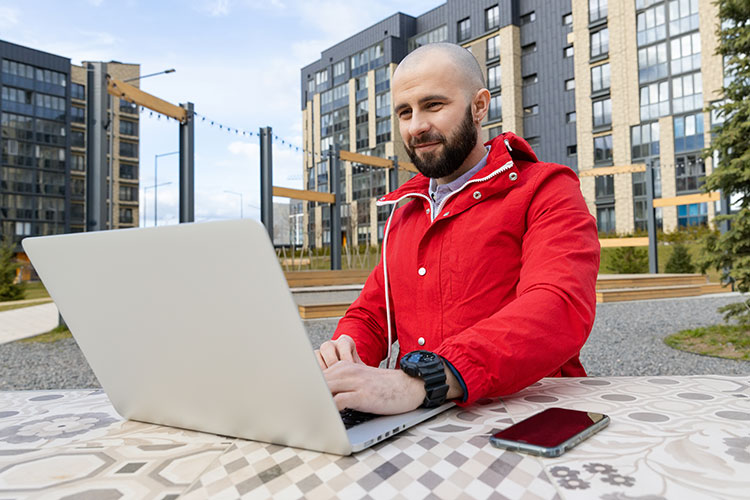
[503,148]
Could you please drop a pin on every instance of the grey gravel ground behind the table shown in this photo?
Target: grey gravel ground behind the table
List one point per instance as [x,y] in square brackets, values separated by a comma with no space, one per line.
[626,340]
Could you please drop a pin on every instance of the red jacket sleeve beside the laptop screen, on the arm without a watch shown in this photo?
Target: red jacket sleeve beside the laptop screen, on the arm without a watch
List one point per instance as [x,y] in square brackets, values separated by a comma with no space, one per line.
[365,320]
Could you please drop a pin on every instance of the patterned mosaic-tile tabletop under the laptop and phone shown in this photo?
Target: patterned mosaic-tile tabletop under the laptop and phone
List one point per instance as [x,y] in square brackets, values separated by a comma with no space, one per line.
[670,437]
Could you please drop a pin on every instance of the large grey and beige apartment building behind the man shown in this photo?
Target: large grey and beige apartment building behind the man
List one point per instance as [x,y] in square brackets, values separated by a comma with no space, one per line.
[566,75]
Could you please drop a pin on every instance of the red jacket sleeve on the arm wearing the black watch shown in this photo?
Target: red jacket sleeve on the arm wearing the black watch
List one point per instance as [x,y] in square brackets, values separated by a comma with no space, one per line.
[553,312]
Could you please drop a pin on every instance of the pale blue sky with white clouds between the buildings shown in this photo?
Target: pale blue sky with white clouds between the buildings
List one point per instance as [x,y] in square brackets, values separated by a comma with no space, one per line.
[238,61]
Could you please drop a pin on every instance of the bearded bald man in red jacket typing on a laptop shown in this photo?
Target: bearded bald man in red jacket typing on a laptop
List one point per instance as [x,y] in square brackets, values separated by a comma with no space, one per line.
[488,272]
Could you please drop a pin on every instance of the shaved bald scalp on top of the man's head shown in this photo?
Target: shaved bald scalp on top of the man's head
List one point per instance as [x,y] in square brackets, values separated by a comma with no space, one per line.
[427,56]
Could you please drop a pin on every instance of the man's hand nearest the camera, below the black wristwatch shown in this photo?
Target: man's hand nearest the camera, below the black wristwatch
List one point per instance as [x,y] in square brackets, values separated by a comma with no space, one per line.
[374,390]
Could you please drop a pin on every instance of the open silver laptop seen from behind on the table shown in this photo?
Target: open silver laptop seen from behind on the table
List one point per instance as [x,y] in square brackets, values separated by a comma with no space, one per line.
[193,326]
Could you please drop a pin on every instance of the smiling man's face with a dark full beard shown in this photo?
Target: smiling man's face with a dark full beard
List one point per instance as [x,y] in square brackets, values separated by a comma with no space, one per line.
[435,118]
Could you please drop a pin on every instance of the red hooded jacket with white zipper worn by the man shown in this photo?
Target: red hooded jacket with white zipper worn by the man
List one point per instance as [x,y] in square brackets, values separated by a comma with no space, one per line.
[501,283]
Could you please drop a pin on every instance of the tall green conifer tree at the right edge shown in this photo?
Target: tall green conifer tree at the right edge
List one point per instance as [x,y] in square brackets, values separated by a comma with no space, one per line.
[730,251]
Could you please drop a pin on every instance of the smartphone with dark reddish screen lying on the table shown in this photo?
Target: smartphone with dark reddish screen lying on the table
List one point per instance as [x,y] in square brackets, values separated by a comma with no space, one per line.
[550,433]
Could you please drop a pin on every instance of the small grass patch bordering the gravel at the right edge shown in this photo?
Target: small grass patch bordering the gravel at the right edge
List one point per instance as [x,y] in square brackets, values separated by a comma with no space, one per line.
[722,341]
